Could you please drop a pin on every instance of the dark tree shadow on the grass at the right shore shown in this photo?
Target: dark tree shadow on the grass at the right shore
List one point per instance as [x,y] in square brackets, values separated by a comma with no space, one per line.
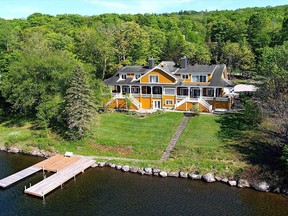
[258,147]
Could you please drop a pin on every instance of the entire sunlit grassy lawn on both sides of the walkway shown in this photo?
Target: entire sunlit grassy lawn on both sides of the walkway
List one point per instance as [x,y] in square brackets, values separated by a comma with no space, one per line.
[118,135]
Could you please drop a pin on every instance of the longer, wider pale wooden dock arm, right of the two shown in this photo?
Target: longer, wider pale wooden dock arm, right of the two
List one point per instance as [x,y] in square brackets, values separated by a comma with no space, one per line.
[58,179]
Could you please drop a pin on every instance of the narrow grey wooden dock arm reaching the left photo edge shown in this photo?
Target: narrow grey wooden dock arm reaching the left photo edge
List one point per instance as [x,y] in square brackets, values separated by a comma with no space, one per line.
[19,176]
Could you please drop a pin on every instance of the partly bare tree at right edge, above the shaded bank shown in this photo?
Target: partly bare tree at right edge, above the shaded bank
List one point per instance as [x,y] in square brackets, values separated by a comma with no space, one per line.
[273,93]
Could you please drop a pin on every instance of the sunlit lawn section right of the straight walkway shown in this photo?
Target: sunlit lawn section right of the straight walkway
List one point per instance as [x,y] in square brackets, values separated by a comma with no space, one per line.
[200,148]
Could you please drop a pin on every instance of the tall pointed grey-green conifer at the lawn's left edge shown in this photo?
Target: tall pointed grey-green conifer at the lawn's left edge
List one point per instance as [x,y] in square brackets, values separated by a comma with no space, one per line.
[80,107]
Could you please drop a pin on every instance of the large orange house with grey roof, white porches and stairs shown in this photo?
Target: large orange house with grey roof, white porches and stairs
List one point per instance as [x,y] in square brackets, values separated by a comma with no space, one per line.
[171,86]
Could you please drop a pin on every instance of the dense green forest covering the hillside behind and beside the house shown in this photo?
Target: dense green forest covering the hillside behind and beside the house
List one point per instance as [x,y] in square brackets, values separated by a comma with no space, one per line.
[40,57]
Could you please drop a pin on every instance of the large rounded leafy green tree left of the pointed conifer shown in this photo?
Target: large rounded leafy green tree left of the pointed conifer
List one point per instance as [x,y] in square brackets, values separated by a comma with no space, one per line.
[35,73]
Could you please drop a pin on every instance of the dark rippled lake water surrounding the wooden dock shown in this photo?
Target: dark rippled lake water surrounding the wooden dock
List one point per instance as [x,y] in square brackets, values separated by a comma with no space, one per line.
[105,191]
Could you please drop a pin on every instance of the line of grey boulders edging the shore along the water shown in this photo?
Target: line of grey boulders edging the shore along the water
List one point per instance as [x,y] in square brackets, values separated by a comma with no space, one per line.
[208,177]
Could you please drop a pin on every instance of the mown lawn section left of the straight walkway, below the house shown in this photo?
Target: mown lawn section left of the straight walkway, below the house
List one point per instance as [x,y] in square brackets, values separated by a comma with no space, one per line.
[119,135]
